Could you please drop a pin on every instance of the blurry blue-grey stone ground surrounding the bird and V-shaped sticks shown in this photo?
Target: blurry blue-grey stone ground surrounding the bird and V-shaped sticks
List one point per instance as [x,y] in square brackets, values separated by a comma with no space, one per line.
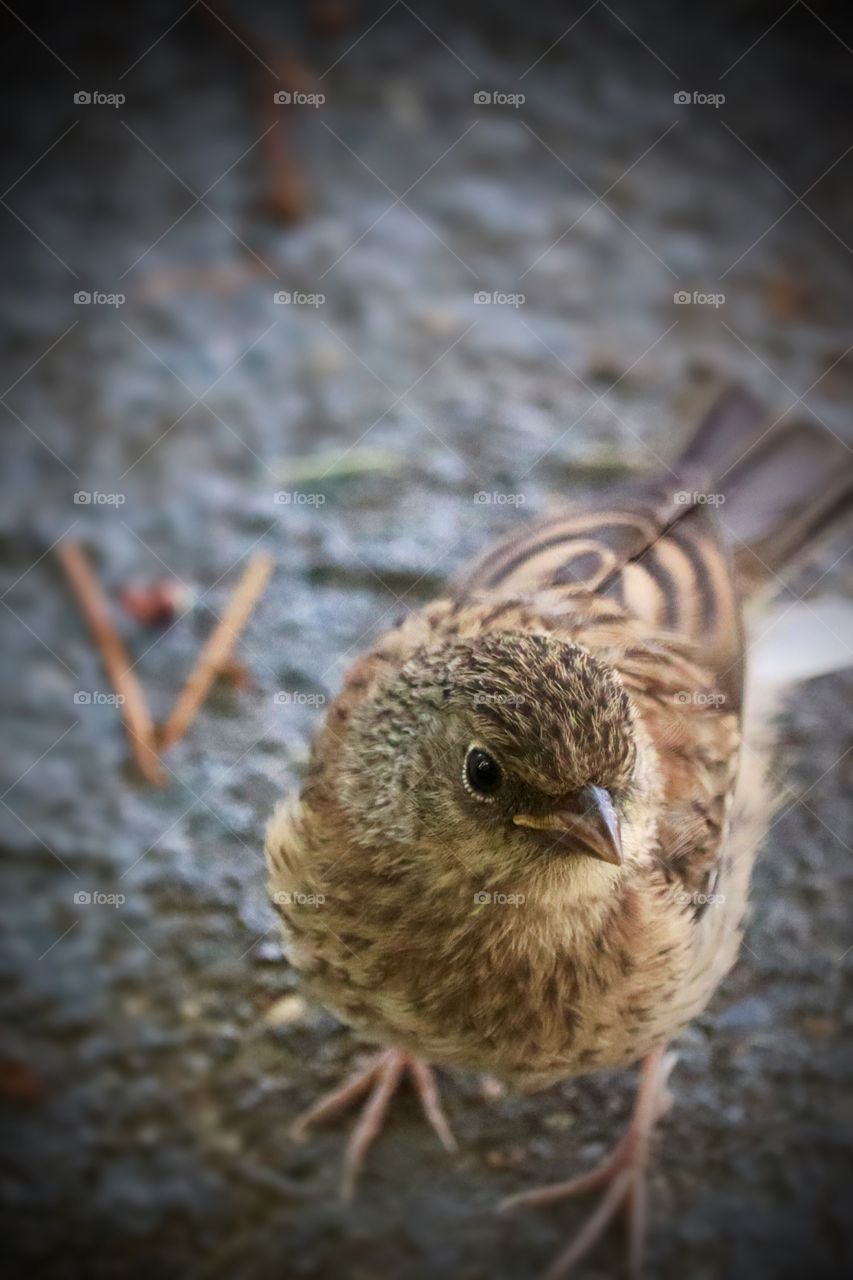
[362,286]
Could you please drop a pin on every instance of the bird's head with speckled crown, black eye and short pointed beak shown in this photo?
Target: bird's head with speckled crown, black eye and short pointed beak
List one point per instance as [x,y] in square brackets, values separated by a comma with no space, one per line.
[508,755]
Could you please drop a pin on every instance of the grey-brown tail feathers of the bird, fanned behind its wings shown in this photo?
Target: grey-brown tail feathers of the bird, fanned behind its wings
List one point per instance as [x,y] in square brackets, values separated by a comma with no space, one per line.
[779,486]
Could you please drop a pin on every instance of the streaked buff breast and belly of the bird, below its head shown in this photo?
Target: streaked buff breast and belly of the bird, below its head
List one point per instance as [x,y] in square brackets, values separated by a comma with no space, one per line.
[504,988]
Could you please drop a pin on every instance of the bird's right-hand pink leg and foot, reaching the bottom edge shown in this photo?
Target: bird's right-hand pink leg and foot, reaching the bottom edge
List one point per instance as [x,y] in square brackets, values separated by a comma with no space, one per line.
[621,1177]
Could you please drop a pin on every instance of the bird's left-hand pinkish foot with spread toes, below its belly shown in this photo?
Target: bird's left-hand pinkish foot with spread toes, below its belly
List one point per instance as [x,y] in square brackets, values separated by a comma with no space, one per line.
[380,1081]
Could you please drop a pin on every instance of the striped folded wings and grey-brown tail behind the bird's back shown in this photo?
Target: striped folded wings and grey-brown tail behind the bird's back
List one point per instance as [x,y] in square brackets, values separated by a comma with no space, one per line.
[747,497]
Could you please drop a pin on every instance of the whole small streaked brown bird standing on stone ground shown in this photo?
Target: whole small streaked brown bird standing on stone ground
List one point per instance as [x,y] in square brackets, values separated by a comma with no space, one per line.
[527,833]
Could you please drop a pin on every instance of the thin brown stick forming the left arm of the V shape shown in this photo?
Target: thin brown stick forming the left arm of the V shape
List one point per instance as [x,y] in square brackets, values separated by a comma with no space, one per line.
[134,708]
